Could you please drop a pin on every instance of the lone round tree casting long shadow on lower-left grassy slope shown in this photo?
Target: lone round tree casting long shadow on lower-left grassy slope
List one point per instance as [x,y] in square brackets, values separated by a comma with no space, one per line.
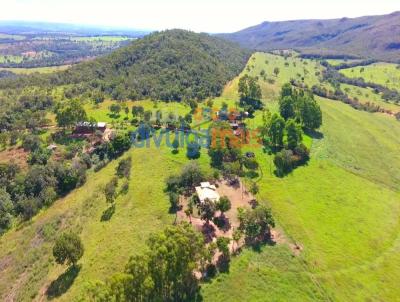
[68,249]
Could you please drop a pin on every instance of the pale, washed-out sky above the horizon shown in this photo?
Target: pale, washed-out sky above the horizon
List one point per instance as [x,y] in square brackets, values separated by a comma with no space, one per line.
[199,15]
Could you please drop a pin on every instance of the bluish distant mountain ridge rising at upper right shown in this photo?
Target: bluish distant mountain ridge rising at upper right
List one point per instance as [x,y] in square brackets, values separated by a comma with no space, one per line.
[376,37]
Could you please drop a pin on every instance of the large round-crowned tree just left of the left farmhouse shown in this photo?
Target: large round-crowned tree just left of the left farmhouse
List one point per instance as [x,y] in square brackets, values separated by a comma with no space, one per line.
[68,114]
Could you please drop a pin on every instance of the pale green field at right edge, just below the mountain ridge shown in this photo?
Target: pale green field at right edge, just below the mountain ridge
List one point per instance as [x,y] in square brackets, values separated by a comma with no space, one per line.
[386,74]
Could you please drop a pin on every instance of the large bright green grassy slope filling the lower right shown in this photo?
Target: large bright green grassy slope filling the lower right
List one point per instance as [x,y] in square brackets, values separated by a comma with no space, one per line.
[342,208]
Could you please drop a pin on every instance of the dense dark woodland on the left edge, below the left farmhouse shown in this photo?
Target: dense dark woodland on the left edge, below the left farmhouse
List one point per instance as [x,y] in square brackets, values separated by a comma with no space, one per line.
[24,193]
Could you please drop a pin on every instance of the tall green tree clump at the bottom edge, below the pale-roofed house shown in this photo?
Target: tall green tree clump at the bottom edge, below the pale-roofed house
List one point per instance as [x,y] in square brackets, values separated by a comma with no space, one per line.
[164,273]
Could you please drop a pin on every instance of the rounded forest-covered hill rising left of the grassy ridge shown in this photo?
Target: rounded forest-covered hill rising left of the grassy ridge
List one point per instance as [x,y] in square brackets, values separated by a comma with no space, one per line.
[173,65]
